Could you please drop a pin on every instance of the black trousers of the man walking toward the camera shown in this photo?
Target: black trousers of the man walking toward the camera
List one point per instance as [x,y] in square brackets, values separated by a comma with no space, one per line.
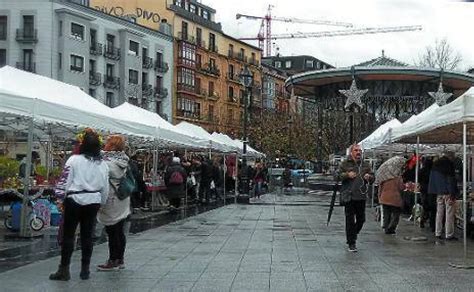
[355,218]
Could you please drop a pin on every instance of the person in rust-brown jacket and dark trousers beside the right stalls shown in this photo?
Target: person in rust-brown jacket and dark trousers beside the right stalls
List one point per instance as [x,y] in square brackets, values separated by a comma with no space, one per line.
[389,179]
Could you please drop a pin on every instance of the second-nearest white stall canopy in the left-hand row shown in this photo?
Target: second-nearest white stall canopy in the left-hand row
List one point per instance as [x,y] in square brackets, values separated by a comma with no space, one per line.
[165,132]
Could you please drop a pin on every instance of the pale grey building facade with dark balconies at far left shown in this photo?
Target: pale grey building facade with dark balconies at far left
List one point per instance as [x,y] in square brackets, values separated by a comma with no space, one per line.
[112,59]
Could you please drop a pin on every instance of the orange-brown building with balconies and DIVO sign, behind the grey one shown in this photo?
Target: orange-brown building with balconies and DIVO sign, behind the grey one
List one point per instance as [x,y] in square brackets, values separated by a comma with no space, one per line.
[207,61]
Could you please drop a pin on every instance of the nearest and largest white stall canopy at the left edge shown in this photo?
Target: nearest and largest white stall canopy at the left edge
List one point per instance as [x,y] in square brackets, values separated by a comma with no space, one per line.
[51,102]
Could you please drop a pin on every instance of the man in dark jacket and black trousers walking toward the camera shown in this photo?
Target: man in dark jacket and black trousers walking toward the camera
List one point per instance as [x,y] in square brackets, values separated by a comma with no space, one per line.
[354,174]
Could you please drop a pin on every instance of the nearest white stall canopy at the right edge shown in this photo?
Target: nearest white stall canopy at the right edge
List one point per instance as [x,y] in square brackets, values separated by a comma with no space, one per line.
[445,125]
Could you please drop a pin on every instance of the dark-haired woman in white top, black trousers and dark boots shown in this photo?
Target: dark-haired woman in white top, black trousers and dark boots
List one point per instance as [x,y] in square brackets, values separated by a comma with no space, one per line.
[82,187]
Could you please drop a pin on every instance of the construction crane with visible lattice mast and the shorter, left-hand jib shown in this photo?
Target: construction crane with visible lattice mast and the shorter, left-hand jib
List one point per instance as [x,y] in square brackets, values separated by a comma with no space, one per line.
[267,19]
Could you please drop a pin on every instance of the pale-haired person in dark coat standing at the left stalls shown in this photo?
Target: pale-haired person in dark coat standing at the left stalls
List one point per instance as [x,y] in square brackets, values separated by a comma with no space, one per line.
[175,180]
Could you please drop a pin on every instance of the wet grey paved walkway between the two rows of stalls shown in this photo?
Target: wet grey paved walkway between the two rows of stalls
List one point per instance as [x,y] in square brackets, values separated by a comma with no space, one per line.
[278,243]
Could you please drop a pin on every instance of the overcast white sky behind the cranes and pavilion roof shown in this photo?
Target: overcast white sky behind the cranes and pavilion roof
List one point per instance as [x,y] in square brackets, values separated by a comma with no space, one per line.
[439,18]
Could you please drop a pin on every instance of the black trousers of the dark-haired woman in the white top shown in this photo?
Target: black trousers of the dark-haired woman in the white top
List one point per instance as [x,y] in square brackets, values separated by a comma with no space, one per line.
[75,214]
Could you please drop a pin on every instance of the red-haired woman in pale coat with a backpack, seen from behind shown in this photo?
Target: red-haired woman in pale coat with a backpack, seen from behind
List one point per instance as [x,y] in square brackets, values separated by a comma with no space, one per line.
[115,212]
